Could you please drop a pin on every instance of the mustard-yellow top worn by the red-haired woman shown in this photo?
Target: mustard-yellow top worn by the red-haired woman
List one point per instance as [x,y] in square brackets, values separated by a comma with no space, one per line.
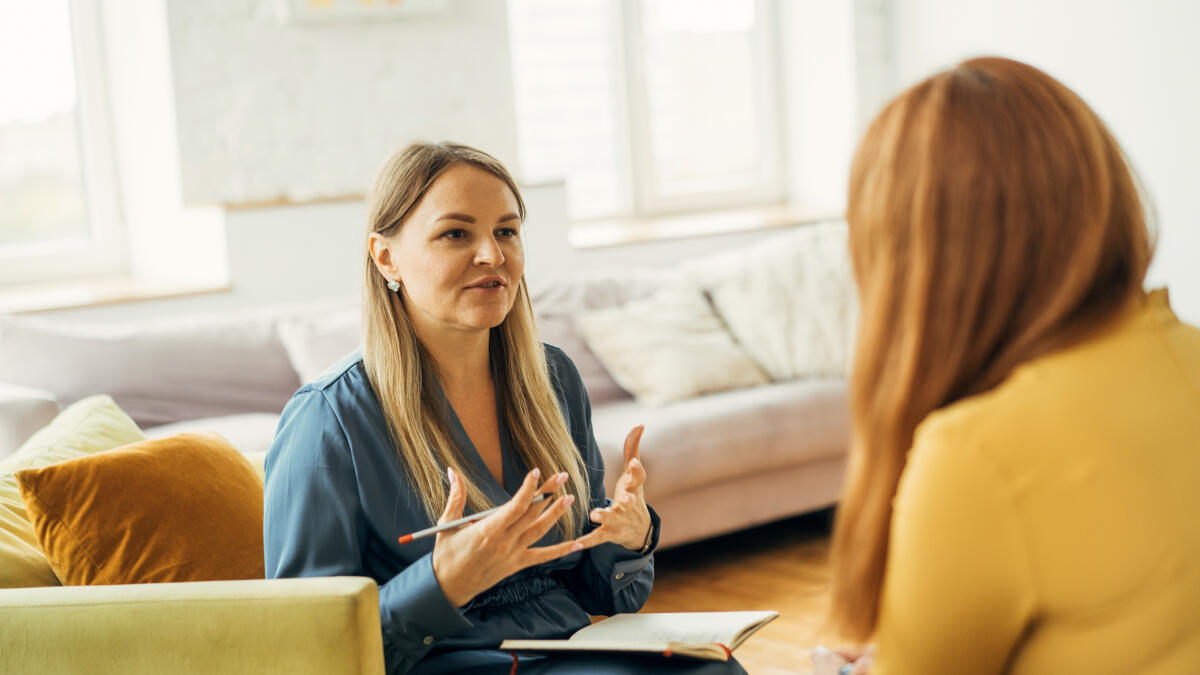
[1053,524]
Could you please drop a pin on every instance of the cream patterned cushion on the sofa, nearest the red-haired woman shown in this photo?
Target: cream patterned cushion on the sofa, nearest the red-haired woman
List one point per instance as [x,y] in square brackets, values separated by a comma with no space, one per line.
[790,301]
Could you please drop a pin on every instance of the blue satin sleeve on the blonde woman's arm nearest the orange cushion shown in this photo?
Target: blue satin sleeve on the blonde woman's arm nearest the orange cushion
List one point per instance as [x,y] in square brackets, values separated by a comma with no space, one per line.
[314,527]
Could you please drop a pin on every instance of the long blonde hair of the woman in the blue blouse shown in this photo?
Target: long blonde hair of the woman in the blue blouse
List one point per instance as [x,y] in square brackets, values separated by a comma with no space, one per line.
[405,377]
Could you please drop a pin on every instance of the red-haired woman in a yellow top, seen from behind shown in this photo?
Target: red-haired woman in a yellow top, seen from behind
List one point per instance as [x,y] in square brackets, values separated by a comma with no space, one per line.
[1027,419]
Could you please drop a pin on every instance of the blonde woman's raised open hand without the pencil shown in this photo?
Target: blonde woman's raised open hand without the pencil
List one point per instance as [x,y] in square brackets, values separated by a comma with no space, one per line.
[627,522]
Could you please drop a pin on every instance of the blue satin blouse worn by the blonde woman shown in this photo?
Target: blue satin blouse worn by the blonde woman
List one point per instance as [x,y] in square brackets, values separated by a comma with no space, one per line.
[338,499]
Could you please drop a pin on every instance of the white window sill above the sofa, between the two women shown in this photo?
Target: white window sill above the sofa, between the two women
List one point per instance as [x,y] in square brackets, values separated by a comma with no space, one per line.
[623,232]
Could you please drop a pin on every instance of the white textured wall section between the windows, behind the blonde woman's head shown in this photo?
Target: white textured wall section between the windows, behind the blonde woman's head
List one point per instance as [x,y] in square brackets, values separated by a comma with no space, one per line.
[269,109]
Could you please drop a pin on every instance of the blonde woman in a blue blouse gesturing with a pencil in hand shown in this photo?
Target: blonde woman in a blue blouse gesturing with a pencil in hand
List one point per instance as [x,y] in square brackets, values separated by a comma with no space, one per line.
[453,405]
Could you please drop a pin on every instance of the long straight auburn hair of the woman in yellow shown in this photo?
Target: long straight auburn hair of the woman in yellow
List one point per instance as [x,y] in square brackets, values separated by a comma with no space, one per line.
[993,219]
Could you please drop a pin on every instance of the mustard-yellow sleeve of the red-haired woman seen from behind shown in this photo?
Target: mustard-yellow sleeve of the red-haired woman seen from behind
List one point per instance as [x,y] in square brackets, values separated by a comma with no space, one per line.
[958,589]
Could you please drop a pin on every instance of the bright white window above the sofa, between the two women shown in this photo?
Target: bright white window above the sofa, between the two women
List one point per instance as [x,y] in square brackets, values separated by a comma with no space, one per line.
[649,107]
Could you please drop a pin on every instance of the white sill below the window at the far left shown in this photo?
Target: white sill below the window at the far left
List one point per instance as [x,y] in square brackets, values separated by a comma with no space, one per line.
[93,292]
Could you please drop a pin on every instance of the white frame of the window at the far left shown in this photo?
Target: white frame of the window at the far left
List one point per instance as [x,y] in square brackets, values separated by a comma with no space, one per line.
[103,250]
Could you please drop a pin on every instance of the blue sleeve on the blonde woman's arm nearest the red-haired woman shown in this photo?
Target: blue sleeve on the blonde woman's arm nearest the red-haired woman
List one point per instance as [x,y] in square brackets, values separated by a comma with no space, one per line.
[610,578]
